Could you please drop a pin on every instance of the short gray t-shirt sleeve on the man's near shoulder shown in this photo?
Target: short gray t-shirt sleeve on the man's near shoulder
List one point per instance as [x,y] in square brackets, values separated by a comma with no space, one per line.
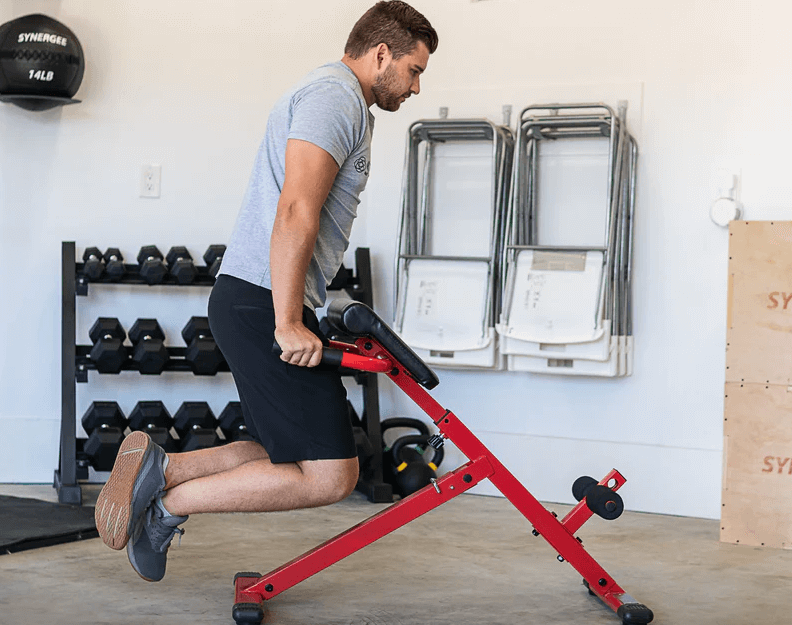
[328,115]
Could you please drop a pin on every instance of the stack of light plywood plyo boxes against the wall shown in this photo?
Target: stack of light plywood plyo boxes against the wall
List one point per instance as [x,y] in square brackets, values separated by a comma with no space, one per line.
[757,448]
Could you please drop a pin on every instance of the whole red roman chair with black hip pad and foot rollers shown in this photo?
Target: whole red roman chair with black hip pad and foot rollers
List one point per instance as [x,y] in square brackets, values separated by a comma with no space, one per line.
[378,349]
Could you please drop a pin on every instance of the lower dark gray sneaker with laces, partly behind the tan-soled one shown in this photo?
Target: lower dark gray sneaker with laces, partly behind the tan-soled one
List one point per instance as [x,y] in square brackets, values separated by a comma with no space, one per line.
[148,547]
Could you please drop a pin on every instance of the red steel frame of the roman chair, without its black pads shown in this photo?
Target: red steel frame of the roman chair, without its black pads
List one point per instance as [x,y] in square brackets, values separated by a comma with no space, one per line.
[368,355]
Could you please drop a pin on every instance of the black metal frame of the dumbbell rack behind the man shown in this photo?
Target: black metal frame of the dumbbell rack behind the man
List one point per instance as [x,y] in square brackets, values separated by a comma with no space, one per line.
[76,362]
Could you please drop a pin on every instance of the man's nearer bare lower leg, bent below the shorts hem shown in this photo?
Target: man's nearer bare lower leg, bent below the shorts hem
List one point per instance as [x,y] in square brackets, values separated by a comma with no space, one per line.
[261,486]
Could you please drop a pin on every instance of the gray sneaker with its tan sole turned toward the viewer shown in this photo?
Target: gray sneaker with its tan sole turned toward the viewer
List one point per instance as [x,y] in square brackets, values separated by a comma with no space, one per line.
[138,476]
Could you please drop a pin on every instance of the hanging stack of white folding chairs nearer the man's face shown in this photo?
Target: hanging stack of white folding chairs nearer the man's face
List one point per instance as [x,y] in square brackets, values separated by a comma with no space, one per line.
[454,195]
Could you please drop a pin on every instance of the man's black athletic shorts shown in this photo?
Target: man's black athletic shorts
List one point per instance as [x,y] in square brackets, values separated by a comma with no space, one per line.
[296,413]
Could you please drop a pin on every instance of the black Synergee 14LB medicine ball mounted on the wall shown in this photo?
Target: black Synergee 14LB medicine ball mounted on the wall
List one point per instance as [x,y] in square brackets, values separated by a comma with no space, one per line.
[41,63]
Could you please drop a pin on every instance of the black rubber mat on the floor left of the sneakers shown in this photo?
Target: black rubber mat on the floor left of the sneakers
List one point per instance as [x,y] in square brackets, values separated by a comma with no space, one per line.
[31,523]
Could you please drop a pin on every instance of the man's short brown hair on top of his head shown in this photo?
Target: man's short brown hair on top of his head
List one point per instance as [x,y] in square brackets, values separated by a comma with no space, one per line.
[394,23]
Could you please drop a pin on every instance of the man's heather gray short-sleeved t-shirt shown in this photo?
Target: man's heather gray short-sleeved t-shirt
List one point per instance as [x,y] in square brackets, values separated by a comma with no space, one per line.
[326,108]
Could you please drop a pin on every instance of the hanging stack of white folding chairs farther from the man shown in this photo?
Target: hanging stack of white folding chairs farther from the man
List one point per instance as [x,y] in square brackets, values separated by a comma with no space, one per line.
[566,285]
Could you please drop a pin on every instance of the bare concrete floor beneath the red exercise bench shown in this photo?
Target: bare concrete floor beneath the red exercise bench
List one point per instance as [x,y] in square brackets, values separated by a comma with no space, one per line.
[471,561]
